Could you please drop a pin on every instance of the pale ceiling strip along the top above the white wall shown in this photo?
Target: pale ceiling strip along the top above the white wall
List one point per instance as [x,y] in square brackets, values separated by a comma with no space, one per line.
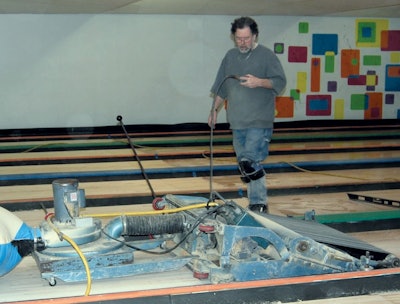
[337,8]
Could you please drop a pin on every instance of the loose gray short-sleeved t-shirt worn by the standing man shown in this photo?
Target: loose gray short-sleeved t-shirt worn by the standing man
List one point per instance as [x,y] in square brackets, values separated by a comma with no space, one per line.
[249,108]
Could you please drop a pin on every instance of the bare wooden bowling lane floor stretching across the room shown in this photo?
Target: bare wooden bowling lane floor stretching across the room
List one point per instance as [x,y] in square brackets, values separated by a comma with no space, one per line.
[112,179]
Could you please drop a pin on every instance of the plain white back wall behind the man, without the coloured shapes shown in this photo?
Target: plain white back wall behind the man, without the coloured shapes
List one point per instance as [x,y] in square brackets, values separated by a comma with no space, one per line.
[84,70]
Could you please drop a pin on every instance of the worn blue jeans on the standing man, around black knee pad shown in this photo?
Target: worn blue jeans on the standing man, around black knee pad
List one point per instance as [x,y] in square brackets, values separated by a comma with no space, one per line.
[253,145]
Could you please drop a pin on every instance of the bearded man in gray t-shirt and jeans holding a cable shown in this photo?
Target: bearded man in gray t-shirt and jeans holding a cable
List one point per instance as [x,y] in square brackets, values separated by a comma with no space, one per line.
[249,78]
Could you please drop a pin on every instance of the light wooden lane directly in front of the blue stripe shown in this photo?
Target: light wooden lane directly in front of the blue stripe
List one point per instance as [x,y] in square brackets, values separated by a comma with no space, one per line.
[187,185]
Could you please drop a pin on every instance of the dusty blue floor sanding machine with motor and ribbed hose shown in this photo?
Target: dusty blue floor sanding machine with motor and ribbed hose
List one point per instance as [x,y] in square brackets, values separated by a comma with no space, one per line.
[219,242]
